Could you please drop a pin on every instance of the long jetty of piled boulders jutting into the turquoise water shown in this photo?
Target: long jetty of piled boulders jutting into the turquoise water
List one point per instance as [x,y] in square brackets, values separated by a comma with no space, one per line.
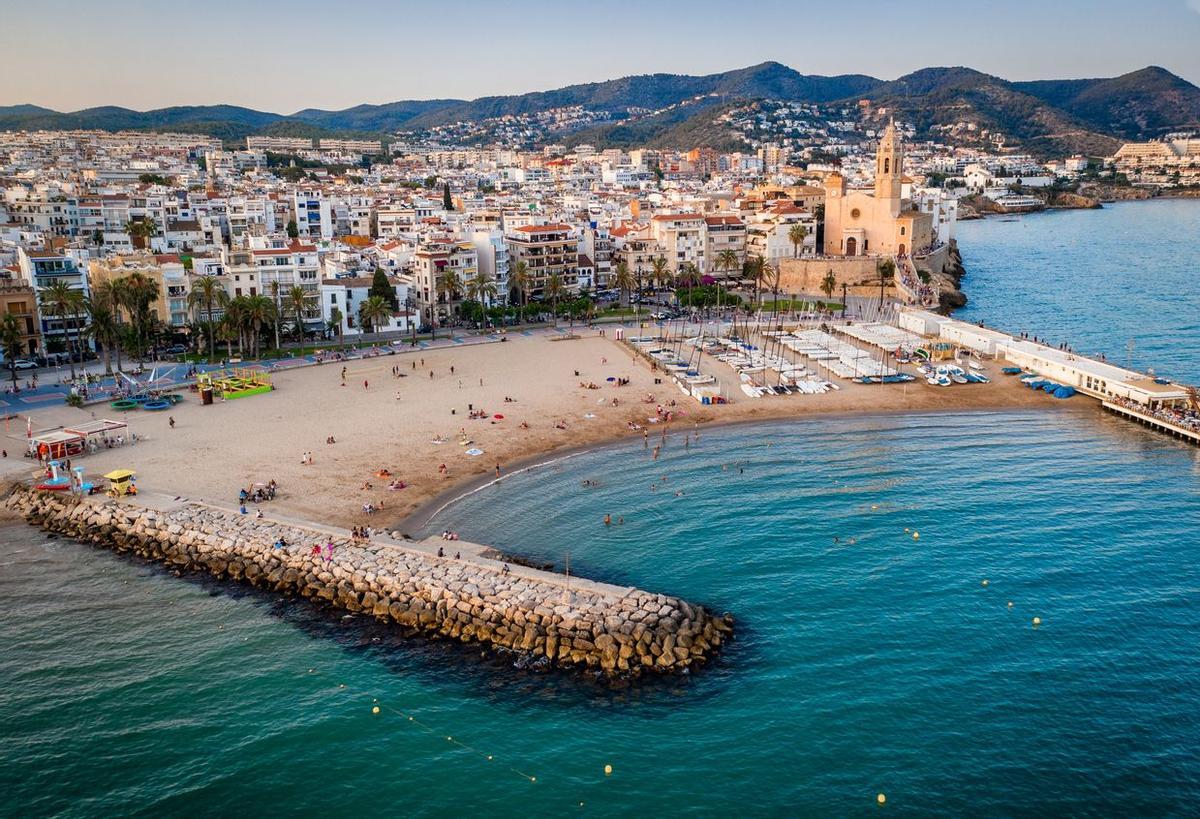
[610,630]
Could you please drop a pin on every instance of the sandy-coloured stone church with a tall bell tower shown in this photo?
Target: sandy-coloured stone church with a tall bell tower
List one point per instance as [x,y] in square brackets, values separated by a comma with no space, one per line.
[875,224]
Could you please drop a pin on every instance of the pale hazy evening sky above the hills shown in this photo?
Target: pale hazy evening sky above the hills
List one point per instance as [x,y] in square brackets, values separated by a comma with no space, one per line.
[283,57]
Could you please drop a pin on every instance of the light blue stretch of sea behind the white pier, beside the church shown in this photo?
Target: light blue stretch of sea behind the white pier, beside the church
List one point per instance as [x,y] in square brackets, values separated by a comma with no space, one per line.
[1095,279]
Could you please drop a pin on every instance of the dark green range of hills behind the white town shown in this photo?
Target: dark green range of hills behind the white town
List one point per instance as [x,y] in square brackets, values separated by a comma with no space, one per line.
[1046,117]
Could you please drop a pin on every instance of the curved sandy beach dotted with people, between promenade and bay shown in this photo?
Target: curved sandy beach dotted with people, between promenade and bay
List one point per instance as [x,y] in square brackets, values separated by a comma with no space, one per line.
[214,451]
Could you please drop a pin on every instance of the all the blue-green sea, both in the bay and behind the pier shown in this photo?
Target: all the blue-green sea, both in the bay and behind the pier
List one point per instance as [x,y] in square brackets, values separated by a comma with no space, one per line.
[885,575]
